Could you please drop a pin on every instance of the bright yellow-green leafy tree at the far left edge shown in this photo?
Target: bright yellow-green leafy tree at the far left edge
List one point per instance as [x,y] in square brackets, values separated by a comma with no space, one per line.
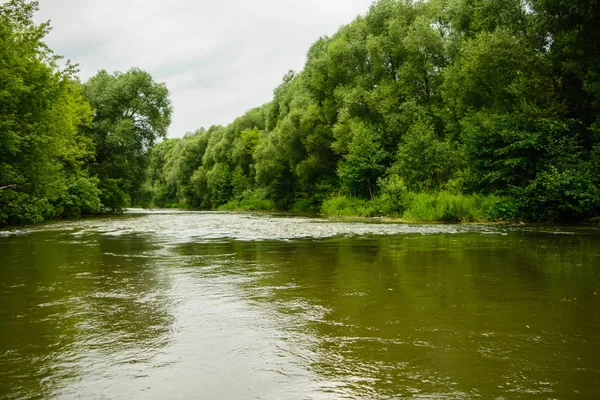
[42,111]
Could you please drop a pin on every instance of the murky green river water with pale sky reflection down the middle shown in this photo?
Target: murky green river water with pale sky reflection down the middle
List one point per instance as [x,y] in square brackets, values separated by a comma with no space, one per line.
[210,305]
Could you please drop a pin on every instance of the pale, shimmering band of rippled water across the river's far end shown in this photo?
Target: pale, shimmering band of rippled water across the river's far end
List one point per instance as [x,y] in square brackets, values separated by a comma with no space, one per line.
[192,226]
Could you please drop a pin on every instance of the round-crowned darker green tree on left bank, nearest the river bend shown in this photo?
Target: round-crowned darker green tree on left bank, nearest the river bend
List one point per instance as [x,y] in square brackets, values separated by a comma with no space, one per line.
[131,113]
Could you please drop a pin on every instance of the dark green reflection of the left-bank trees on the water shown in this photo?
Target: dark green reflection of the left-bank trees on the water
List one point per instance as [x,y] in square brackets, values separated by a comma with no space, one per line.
[74,310]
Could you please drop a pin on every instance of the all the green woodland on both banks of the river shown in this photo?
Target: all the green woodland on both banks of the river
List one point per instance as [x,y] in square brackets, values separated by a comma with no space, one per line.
[440,110]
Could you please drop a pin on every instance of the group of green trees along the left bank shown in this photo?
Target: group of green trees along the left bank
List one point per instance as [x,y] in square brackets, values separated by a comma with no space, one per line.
[68,148]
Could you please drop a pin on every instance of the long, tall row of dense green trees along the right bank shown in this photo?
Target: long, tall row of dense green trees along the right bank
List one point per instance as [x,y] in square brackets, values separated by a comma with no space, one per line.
[451,110]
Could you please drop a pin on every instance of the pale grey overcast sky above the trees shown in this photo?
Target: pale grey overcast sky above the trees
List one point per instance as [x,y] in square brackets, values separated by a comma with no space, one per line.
[219,58]
